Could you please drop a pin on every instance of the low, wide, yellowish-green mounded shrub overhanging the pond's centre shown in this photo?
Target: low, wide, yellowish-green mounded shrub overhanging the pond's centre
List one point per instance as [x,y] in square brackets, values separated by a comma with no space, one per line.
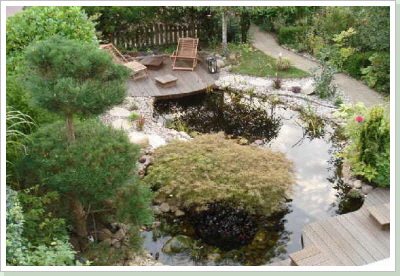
[211,168]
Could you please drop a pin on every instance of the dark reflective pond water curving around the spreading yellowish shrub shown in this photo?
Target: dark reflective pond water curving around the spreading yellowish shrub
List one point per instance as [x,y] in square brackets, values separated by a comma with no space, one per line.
[319,192]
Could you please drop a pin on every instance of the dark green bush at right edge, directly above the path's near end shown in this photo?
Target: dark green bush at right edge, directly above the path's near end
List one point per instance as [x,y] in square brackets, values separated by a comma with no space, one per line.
[377,75]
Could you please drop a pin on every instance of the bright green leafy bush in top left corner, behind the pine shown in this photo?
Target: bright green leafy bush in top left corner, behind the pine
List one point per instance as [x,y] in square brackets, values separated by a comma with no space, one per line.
[38,23]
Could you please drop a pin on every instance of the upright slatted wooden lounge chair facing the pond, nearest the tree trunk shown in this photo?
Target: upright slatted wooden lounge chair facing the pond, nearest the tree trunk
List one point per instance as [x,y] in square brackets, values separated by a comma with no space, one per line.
[186,50]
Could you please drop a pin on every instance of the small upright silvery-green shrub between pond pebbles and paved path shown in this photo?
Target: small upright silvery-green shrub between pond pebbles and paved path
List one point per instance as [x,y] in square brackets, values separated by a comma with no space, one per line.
[323,77]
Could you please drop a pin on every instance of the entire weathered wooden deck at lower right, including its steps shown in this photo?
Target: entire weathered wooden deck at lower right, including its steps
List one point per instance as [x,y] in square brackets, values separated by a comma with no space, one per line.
[353,239]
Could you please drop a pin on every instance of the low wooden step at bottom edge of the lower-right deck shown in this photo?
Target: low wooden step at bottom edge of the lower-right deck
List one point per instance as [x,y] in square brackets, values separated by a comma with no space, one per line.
[310,256]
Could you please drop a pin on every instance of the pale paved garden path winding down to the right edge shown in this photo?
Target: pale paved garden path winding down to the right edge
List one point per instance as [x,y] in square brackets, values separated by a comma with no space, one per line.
[356,90]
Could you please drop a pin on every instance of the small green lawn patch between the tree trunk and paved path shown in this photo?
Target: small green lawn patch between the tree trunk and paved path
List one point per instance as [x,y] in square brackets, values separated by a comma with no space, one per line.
[256,63]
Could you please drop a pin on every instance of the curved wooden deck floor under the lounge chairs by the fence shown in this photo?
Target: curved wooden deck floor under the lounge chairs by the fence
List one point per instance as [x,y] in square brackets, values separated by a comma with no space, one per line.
[188,82]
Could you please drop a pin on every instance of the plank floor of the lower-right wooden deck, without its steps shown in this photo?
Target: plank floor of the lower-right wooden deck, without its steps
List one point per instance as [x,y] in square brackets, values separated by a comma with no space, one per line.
[351,239]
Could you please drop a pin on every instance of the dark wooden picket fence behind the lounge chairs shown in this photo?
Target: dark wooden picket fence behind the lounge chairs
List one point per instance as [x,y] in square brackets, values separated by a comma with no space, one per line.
[152,36]
